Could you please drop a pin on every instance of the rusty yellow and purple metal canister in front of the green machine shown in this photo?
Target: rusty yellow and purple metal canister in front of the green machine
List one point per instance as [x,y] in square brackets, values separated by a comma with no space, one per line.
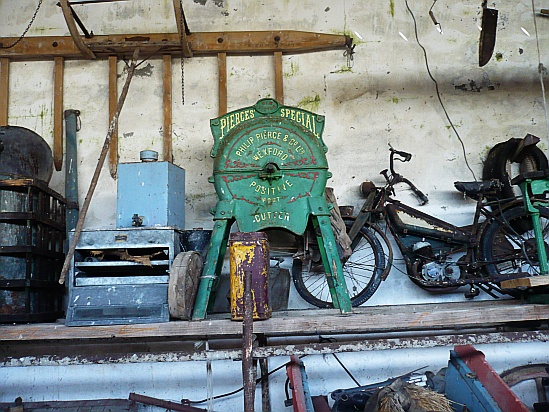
[249,252]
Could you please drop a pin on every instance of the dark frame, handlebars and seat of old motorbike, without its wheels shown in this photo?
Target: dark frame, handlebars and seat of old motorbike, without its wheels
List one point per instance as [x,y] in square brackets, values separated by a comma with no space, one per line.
[450,239]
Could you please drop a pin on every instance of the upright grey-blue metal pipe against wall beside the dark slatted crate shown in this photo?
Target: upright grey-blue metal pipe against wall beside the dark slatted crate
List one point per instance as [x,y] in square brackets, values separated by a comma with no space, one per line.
[71,168]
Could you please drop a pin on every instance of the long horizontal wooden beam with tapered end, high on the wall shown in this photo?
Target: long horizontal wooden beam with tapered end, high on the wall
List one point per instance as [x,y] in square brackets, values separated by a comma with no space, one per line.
[158,44]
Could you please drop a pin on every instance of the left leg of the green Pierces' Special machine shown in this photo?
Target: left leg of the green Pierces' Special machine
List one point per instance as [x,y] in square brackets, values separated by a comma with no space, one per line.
[212,267]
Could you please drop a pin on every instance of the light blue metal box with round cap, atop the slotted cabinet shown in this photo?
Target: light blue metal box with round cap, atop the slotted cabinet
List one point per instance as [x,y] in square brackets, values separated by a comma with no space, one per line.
[150,194]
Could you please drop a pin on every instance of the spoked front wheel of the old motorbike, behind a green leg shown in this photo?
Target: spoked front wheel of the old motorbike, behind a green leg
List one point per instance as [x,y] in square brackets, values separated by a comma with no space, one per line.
[362,273]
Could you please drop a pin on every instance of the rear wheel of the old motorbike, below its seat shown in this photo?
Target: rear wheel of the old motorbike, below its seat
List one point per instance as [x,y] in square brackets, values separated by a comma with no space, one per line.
[509,243]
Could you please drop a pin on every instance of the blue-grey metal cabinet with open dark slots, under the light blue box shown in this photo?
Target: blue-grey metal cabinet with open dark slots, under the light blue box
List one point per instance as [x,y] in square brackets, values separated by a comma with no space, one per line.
[120,276]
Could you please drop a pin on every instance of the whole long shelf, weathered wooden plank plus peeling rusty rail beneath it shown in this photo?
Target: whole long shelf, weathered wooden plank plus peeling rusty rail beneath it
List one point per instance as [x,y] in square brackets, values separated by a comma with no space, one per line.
[315,331]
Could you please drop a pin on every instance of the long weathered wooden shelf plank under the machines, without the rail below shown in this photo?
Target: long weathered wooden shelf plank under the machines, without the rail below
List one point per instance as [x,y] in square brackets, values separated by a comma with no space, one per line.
[377,319]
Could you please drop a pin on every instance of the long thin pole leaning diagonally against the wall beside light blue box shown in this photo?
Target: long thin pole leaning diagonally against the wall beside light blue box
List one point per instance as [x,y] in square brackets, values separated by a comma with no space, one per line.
[101,161]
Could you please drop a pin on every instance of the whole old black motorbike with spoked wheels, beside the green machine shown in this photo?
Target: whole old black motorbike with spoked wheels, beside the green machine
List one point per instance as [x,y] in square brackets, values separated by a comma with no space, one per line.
[498,245]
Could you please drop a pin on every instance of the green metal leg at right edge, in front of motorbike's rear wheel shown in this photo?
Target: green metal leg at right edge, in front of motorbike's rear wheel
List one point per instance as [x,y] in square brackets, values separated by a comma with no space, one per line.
[536,187]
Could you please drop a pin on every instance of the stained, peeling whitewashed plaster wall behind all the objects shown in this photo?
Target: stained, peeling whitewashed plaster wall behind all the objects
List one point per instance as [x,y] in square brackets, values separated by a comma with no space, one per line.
[386,97]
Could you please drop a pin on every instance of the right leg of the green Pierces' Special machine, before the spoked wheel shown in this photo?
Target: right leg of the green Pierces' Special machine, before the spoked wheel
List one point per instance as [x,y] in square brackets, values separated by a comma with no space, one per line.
[332,263]
